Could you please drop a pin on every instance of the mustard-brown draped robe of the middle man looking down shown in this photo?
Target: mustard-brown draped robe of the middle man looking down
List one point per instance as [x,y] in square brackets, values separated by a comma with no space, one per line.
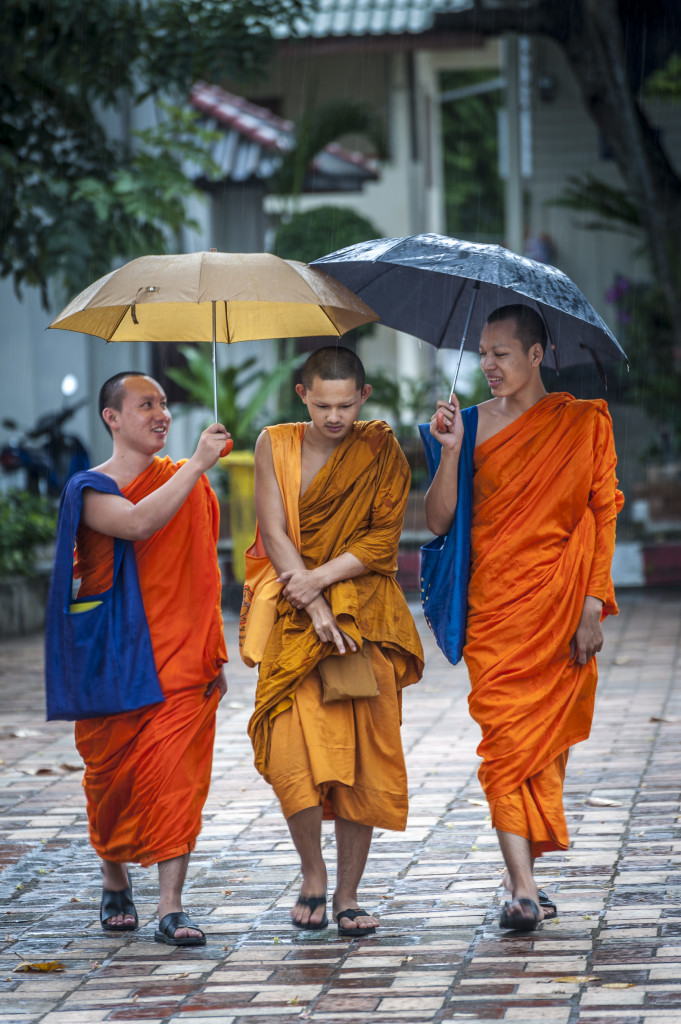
[347,753]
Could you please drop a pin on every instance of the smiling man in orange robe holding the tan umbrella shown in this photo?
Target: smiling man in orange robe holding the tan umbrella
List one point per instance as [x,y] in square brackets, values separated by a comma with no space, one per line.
[148,773]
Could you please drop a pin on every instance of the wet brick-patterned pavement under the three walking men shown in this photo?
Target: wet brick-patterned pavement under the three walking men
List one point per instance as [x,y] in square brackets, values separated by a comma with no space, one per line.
[613,957]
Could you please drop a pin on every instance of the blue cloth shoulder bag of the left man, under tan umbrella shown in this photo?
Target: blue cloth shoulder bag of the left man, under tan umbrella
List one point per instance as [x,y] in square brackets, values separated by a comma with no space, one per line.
[99,656]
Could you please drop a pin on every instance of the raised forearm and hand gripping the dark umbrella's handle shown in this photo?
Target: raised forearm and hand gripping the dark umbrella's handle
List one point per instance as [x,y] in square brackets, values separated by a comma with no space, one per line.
[441,502]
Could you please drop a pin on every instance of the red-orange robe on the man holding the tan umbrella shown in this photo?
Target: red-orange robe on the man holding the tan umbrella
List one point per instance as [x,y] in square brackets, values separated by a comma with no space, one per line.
[148,773]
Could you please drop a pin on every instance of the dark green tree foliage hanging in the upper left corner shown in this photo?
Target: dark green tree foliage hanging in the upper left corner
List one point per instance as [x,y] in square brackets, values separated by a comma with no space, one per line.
[73,199]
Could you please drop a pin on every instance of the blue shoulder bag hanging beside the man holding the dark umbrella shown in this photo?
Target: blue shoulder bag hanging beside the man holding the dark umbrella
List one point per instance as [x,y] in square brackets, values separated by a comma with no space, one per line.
[446,561]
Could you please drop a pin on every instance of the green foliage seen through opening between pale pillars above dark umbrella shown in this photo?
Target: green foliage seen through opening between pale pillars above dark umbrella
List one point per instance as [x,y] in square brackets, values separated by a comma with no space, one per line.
[474,191]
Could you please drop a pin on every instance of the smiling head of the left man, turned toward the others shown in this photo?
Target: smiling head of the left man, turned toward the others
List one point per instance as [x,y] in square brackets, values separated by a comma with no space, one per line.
[144,420]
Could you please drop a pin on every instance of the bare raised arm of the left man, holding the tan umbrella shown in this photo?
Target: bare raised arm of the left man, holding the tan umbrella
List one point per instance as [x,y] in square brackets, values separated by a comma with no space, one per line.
[116,517]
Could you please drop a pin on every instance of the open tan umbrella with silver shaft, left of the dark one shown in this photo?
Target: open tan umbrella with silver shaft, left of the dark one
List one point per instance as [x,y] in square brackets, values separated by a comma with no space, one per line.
[211,296]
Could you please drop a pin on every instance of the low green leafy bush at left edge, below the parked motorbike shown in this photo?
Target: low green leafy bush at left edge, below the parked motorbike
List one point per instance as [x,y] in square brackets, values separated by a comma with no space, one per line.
[26,523]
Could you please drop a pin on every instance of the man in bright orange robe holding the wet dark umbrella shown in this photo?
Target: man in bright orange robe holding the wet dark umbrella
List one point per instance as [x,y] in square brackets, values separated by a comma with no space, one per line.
[545,503]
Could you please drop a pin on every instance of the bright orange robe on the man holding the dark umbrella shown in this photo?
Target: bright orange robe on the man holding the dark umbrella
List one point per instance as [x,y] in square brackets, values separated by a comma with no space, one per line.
[545,503]
